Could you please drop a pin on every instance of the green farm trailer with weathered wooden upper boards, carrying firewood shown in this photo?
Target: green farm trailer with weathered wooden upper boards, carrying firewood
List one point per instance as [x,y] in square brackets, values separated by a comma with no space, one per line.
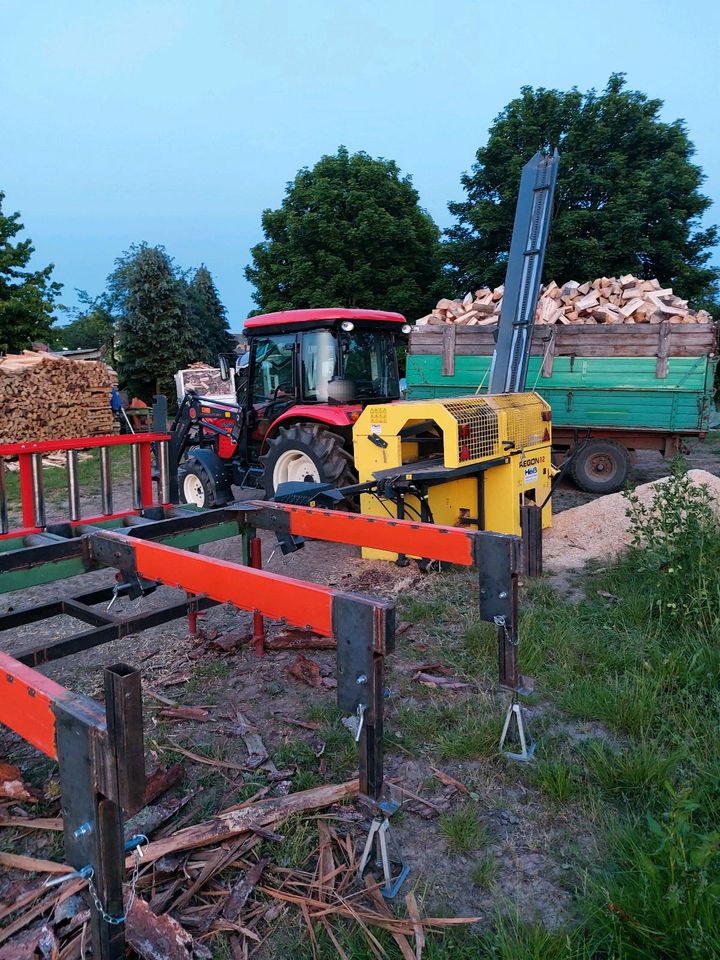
[613,389]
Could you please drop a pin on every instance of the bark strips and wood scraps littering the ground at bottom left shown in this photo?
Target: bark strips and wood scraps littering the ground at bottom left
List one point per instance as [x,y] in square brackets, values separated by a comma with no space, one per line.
[209,879]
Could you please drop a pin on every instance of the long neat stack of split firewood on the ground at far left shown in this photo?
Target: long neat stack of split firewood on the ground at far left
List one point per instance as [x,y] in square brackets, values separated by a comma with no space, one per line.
[43,397]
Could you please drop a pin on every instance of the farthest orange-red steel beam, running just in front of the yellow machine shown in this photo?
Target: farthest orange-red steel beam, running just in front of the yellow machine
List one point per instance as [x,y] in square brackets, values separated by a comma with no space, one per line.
[449,544]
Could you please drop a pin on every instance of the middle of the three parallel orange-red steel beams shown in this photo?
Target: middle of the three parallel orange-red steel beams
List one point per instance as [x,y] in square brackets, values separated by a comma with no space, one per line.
[306,605]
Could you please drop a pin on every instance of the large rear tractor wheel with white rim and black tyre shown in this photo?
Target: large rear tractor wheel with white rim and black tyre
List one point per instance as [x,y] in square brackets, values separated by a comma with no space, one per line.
[306,452]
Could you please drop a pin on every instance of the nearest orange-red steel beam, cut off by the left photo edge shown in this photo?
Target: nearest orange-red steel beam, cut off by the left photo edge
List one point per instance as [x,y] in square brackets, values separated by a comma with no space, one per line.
[27,699]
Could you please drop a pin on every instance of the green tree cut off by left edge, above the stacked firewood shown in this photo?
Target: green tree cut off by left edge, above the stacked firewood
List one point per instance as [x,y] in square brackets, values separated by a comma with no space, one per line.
[26,296]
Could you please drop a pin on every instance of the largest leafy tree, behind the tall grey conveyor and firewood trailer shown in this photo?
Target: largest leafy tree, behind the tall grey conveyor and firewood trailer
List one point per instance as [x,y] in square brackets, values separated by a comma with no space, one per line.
[628,197]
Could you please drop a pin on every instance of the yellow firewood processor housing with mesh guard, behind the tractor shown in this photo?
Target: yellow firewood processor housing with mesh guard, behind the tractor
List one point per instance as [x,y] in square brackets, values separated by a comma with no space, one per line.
[510,433]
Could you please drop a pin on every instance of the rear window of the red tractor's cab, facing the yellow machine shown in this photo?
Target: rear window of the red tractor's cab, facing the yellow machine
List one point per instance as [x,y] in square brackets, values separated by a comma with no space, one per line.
[370,361]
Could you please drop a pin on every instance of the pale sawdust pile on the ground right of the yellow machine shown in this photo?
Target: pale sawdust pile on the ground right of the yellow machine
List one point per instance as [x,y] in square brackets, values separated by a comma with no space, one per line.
[599,530]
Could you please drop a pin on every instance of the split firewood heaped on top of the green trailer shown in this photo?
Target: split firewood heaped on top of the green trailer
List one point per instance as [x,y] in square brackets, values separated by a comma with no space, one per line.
[607,300]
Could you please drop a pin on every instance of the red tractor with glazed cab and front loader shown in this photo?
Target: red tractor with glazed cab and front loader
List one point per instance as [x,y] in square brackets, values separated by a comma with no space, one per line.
[310,373]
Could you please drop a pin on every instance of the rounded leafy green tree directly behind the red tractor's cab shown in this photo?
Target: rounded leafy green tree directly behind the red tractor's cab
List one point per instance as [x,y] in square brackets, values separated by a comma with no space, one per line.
[349,232]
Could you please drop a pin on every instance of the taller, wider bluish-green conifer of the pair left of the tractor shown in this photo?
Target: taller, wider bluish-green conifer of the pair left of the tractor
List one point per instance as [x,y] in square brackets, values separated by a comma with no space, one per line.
[155,333]
